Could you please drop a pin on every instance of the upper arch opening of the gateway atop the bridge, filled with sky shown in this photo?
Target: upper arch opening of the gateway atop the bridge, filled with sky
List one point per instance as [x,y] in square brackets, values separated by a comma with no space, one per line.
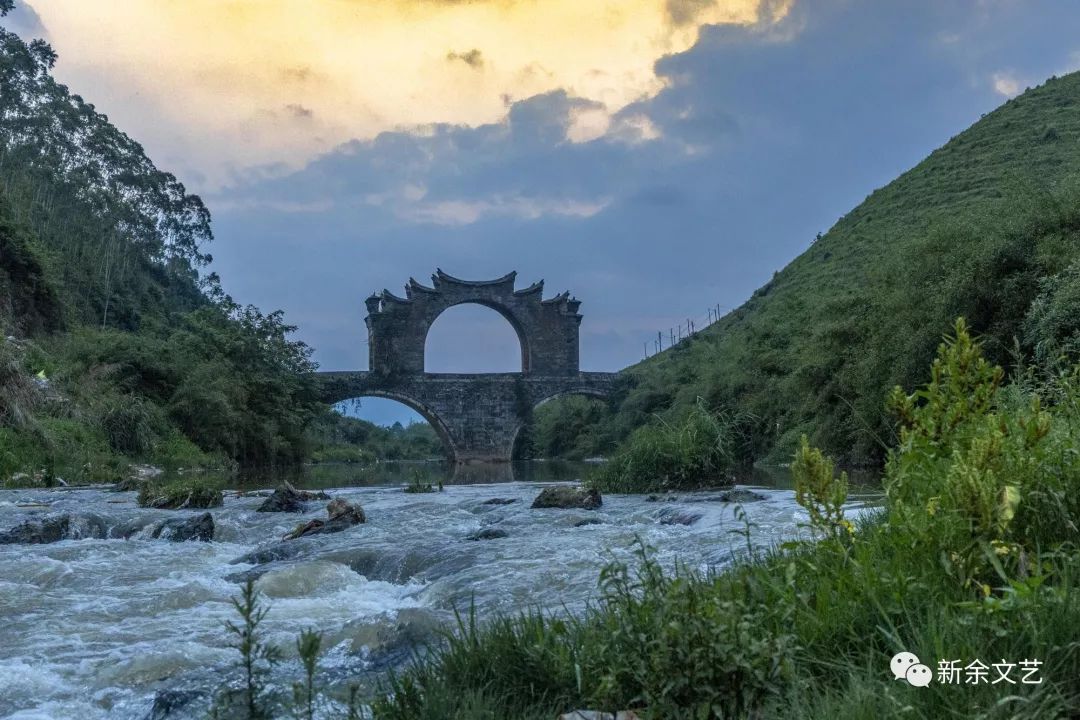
[474,337]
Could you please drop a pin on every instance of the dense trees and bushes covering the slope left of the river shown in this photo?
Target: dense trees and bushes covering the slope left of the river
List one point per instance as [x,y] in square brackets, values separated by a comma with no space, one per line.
[116,349]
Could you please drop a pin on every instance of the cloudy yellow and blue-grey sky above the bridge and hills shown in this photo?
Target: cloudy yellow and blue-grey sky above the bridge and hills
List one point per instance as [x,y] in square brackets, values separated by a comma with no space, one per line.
[654,157]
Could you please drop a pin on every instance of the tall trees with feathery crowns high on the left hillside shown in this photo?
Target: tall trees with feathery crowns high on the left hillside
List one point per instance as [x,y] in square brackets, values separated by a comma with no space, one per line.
[62,164]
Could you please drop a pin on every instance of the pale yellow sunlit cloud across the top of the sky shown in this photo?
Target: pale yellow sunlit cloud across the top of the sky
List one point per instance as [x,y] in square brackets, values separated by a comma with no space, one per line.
[218,86]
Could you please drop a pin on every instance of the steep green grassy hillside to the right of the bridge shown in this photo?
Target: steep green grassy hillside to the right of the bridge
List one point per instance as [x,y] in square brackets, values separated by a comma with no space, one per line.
[988,227]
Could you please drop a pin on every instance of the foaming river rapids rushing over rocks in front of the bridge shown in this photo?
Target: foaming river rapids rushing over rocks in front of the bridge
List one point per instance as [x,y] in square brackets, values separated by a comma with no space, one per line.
[96,629]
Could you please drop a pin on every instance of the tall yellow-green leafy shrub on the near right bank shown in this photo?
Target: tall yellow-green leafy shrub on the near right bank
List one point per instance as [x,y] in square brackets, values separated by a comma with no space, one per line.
[968,463]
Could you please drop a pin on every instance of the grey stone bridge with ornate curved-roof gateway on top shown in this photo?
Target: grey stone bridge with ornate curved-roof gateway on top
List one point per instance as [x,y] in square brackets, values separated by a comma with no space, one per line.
[479,416]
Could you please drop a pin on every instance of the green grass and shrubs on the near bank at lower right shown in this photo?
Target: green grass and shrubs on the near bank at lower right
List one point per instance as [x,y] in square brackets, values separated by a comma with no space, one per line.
[973,561]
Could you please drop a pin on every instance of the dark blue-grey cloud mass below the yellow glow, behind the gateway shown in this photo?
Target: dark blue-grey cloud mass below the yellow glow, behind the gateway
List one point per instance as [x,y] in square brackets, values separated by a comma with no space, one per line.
[763,143]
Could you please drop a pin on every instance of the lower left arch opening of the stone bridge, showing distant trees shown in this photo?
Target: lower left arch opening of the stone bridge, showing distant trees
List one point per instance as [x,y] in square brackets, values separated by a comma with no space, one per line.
[384,429]
